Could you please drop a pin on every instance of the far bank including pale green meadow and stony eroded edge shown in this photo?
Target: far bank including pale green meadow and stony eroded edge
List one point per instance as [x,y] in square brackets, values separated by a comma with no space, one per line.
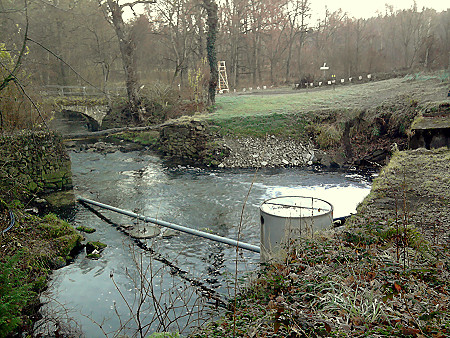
[355,125]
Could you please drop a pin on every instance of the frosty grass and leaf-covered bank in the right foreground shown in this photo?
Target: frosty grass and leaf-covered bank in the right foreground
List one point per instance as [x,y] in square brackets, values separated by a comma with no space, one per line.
[387,275]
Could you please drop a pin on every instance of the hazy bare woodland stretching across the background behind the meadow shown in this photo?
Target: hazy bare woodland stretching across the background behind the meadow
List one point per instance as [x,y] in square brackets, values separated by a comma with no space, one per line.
[271,42]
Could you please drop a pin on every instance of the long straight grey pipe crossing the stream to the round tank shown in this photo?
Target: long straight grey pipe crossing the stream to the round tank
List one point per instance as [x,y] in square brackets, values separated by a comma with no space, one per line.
[173,226]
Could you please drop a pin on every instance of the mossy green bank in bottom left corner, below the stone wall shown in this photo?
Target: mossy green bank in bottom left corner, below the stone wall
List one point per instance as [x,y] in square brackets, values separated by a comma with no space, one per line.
[29,250]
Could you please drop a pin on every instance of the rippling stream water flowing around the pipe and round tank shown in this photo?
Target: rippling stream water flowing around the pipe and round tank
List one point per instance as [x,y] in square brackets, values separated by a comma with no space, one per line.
[208,200]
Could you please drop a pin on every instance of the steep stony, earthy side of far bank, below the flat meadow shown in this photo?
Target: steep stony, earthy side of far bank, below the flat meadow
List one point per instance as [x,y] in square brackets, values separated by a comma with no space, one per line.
[342,139]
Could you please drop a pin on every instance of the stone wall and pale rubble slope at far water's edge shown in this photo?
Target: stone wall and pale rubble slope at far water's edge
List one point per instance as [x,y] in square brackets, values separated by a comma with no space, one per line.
[192,142]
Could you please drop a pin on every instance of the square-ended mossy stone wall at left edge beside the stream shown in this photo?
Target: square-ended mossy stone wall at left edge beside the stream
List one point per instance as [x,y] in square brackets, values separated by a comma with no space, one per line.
[33,162]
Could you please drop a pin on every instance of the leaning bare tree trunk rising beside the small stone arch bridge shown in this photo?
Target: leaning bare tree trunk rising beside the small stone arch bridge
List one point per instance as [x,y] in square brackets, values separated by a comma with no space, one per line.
[128,54]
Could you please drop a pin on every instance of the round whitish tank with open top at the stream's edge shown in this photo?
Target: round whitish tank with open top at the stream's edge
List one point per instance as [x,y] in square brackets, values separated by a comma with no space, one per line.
[287,218]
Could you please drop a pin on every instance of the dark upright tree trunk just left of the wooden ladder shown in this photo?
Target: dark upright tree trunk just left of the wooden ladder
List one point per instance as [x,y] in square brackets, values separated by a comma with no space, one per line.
[211,36]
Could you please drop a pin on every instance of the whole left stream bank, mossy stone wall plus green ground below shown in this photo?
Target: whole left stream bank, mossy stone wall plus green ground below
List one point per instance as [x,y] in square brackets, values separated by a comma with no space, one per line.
[32,165]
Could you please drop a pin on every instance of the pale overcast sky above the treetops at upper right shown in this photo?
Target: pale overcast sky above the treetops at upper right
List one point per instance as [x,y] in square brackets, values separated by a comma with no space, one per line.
[369,8]
